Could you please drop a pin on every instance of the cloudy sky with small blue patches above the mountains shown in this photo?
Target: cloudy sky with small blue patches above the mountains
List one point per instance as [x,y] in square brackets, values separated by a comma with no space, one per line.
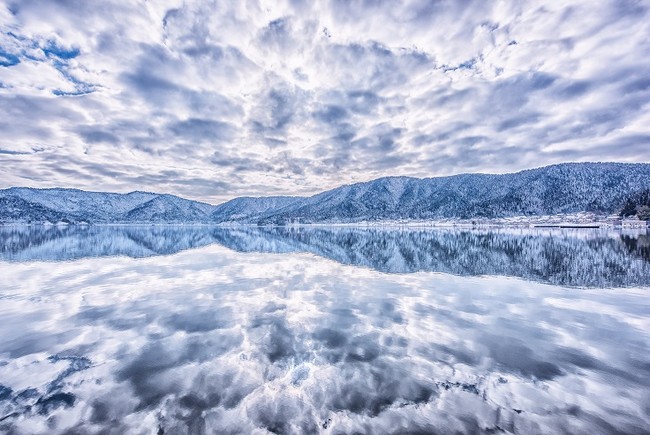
[211,100]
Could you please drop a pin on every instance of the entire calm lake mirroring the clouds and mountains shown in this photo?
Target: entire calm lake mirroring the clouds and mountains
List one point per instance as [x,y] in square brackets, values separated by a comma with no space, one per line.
[254,330]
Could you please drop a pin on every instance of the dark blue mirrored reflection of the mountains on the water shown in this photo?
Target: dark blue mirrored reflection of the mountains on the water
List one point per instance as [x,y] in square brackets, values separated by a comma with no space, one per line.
[585,258]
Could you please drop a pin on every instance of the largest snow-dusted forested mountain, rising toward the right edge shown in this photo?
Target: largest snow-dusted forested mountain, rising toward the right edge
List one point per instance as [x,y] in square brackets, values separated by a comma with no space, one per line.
[565,188]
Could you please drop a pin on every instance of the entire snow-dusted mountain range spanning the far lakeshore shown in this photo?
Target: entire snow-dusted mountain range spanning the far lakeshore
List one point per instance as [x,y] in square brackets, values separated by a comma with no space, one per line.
[557,189]
